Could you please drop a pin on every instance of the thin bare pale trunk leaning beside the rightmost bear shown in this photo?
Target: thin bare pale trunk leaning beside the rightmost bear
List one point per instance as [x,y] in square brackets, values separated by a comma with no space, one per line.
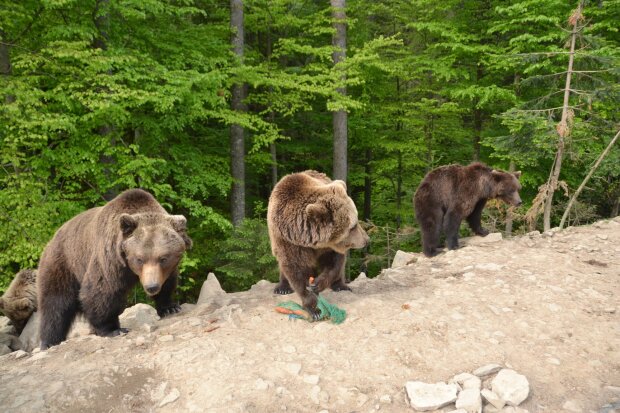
[563,127]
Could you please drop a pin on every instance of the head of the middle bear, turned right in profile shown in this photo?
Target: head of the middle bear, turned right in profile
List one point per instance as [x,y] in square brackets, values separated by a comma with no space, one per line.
[334,216]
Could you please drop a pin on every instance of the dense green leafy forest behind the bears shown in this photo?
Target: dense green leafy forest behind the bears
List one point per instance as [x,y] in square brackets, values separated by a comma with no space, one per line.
[177,97]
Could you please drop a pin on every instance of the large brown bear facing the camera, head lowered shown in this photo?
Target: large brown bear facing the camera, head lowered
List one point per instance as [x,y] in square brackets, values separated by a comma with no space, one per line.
[95,258]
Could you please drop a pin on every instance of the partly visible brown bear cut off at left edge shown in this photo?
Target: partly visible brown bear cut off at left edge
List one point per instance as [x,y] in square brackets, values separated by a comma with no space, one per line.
[20,299]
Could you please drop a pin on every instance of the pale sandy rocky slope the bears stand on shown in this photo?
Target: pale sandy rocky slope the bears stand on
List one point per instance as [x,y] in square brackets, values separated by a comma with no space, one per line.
[545,305]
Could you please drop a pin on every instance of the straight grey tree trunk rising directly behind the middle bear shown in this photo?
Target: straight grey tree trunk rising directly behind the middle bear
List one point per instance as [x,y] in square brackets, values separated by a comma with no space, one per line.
[339,41]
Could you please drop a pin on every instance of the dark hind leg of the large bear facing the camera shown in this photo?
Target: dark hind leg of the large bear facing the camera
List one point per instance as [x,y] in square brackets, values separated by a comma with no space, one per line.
[58,306]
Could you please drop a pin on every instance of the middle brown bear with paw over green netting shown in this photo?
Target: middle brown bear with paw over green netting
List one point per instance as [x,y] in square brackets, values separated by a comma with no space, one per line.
[312,224]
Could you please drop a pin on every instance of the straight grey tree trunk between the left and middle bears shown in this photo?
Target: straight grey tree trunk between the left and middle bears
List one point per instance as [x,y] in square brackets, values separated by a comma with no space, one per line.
[237,147]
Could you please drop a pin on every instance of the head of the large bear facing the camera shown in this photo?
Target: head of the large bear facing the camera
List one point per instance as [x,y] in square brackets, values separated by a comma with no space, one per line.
[153,245]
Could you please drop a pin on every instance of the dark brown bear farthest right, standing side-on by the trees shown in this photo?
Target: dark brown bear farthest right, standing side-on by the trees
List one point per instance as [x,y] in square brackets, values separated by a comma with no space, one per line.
[450,193]
